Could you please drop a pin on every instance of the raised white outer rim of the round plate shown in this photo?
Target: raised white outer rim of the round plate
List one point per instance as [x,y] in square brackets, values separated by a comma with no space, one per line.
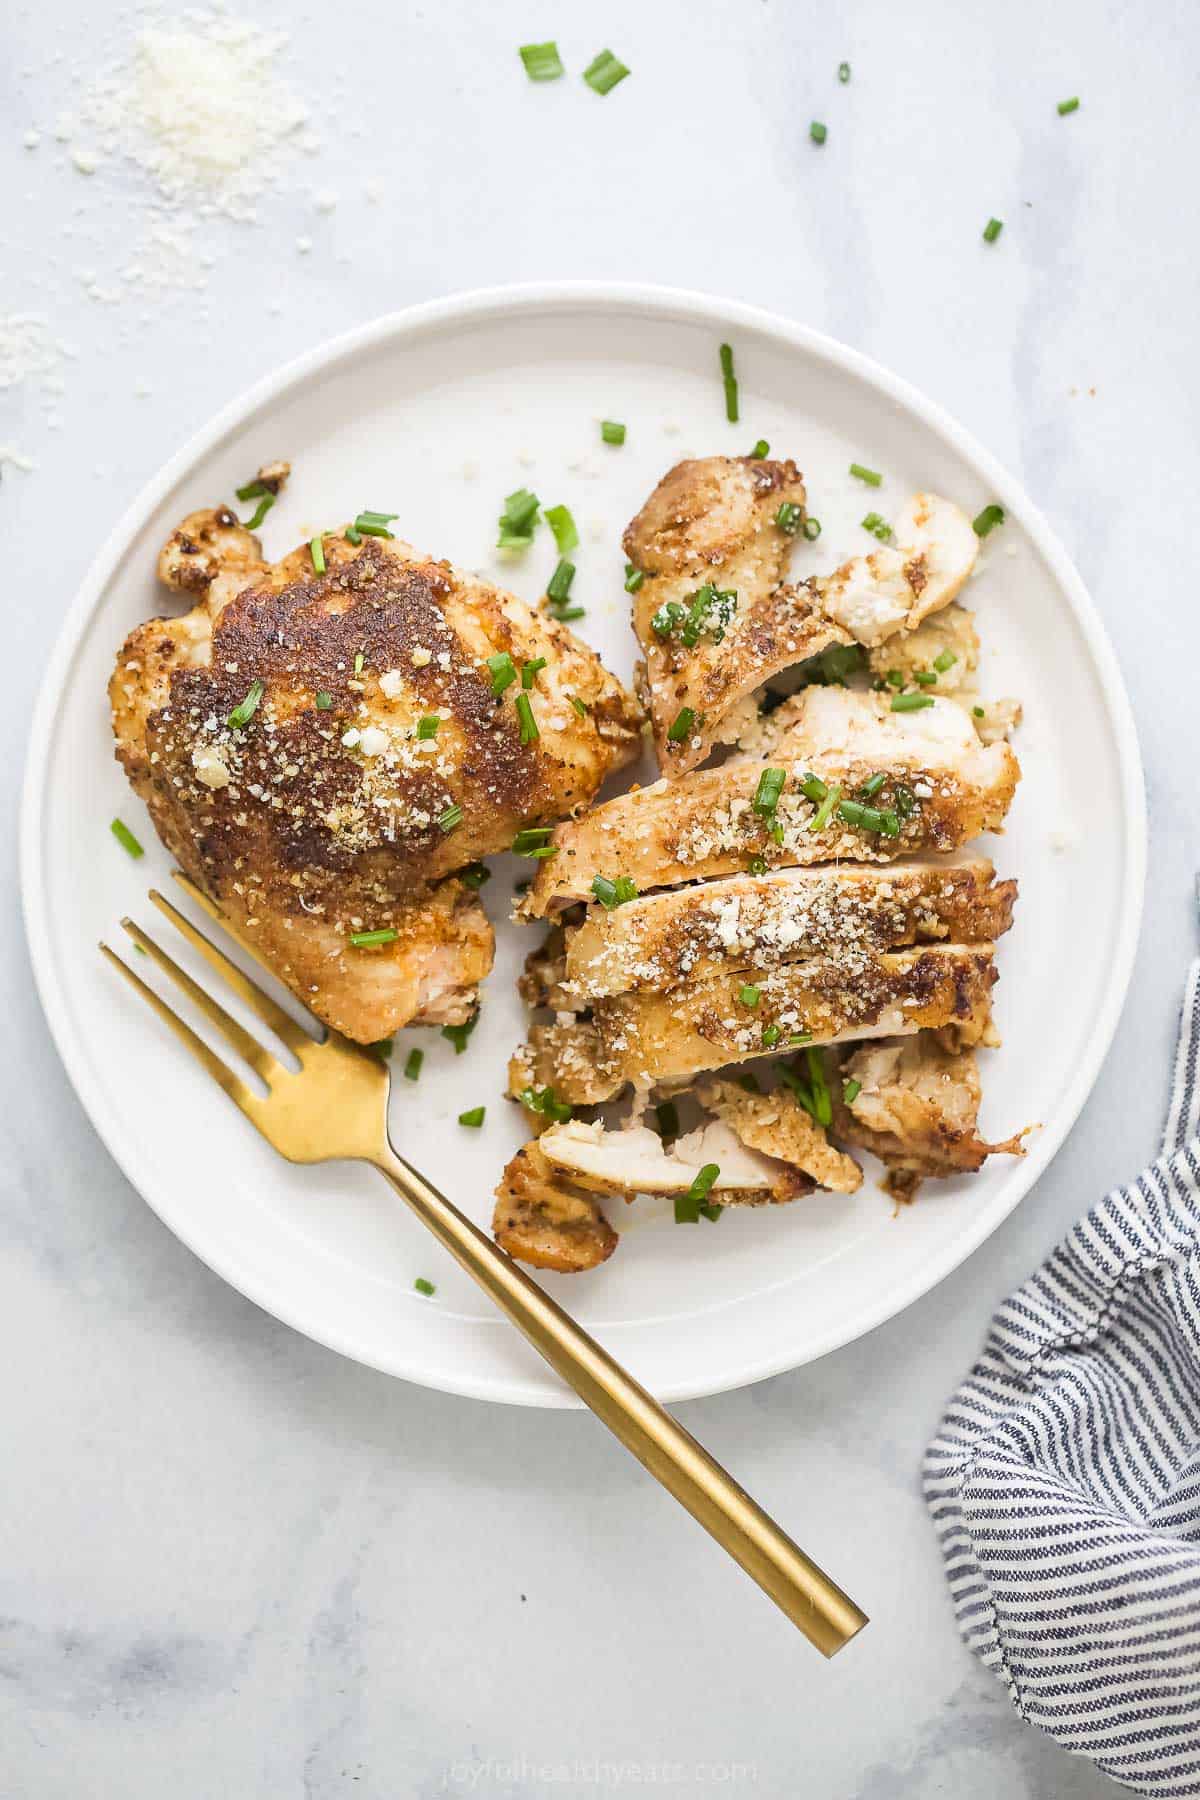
[663,301]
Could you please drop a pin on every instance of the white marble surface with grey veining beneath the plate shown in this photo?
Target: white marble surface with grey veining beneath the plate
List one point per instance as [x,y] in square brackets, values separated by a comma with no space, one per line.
[237,1565]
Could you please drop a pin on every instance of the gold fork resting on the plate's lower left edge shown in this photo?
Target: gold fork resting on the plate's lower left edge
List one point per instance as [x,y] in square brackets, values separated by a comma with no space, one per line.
[336,1108]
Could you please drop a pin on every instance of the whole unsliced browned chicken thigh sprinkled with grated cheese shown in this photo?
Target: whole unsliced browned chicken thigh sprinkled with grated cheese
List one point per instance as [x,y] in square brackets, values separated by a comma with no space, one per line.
[321,813]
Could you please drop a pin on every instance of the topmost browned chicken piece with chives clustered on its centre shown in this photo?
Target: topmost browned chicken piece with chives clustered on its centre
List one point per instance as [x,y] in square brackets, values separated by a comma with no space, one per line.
[712,615]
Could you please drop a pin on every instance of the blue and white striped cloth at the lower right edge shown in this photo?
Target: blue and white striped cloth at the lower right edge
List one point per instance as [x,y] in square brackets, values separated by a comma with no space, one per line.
[1064,1480]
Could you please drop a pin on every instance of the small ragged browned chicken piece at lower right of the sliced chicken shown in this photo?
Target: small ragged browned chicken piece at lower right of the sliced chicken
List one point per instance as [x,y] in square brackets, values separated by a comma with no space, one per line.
[917,1108]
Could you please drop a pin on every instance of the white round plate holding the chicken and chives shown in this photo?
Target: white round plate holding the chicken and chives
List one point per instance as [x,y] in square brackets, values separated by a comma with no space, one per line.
[436,415]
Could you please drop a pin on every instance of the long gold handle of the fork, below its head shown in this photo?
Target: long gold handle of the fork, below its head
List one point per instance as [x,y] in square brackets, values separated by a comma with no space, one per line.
[827,1617]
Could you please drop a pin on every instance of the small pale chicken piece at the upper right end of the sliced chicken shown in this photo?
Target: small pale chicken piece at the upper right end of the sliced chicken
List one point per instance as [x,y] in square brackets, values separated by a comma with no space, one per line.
[895,588]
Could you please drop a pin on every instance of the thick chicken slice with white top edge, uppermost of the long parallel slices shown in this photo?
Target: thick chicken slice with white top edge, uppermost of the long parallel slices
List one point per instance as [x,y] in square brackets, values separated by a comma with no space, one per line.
[706,823]
